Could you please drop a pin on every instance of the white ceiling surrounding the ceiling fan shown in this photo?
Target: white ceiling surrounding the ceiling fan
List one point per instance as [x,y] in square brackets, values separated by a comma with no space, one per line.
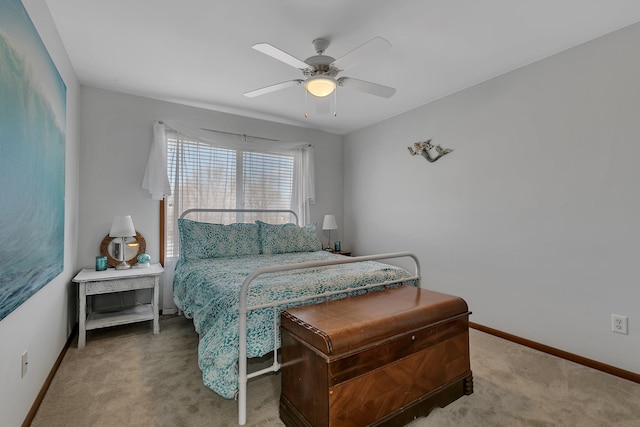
[198,52]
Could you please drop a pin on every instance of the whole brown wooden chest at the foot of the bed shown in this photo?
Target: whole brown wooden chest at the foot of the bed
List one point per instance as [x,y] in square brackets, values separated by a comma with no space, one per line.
[382,358]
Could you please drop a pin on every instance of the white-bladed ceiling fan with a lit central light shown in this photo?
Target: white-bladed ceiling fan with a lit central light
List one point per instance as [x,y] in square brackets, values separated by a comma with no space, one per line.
[321,71]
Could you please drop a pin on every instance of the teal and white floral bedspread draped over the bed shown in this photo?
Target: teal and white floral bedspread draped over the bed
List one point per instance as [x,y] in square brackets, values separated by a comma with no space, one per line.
[207,290]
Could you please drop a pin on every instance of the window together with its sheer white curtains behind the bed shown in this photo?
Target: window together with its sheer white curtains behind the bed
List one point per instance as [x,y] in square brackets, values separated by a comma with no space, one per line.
[228,171]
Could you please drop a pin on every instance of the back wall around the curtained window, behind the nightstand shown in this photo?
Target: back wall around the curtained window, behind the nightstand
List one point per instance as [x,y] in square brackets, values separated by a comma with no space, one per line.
[116,135]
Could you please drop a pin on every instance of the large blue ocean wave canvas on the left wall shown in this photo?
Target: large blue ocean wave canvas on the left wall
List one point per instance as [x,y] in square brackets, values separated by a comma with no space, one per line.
[32,160]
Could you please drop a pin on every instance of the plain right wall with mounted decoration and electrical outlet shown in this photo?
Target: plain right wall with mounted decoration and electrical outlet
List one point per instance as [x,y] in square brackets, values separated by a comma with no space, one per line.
[534,219]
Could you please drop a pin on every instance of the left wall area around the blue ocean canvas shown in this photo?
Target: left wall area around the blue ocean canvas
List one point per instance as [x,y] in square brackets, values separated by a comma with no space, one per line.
[42,324]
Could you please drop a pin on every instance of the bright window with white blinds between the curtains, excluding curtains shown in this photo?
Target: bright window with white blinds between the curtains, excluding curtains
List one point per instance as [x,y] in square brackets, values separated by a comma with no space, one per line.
[202,175]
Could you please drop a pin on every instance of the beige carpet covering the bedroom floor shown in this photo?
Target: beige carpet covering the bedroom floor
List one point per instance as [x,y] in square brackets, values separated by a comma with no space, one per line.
[126,376]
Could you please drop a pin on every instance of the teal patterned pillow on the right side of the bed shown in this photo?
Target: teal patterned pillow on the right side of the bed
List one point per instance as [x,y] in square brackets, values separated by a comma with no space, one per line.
[285,238]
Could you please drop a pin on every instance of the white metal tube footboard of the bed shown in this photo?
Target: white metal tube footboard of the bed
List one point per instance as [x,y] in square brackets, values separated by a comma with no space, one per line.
[243,376]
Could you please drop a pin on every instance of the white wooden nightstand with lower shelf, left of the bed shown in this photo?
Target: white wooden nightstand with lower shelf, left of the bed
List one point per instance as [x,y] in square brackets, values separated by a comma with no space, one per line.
[92,282]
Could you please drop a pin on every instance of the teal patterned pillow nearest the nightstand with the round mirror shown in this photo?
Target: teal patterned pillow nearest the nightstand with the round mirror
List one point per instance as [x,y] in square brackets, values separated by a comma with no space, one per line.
[200,240]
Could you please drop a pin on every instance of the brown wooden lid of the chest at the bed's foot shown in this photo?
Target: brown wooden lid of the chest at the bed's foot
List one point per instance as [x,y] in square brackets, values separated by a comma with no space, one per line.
[340,326]
